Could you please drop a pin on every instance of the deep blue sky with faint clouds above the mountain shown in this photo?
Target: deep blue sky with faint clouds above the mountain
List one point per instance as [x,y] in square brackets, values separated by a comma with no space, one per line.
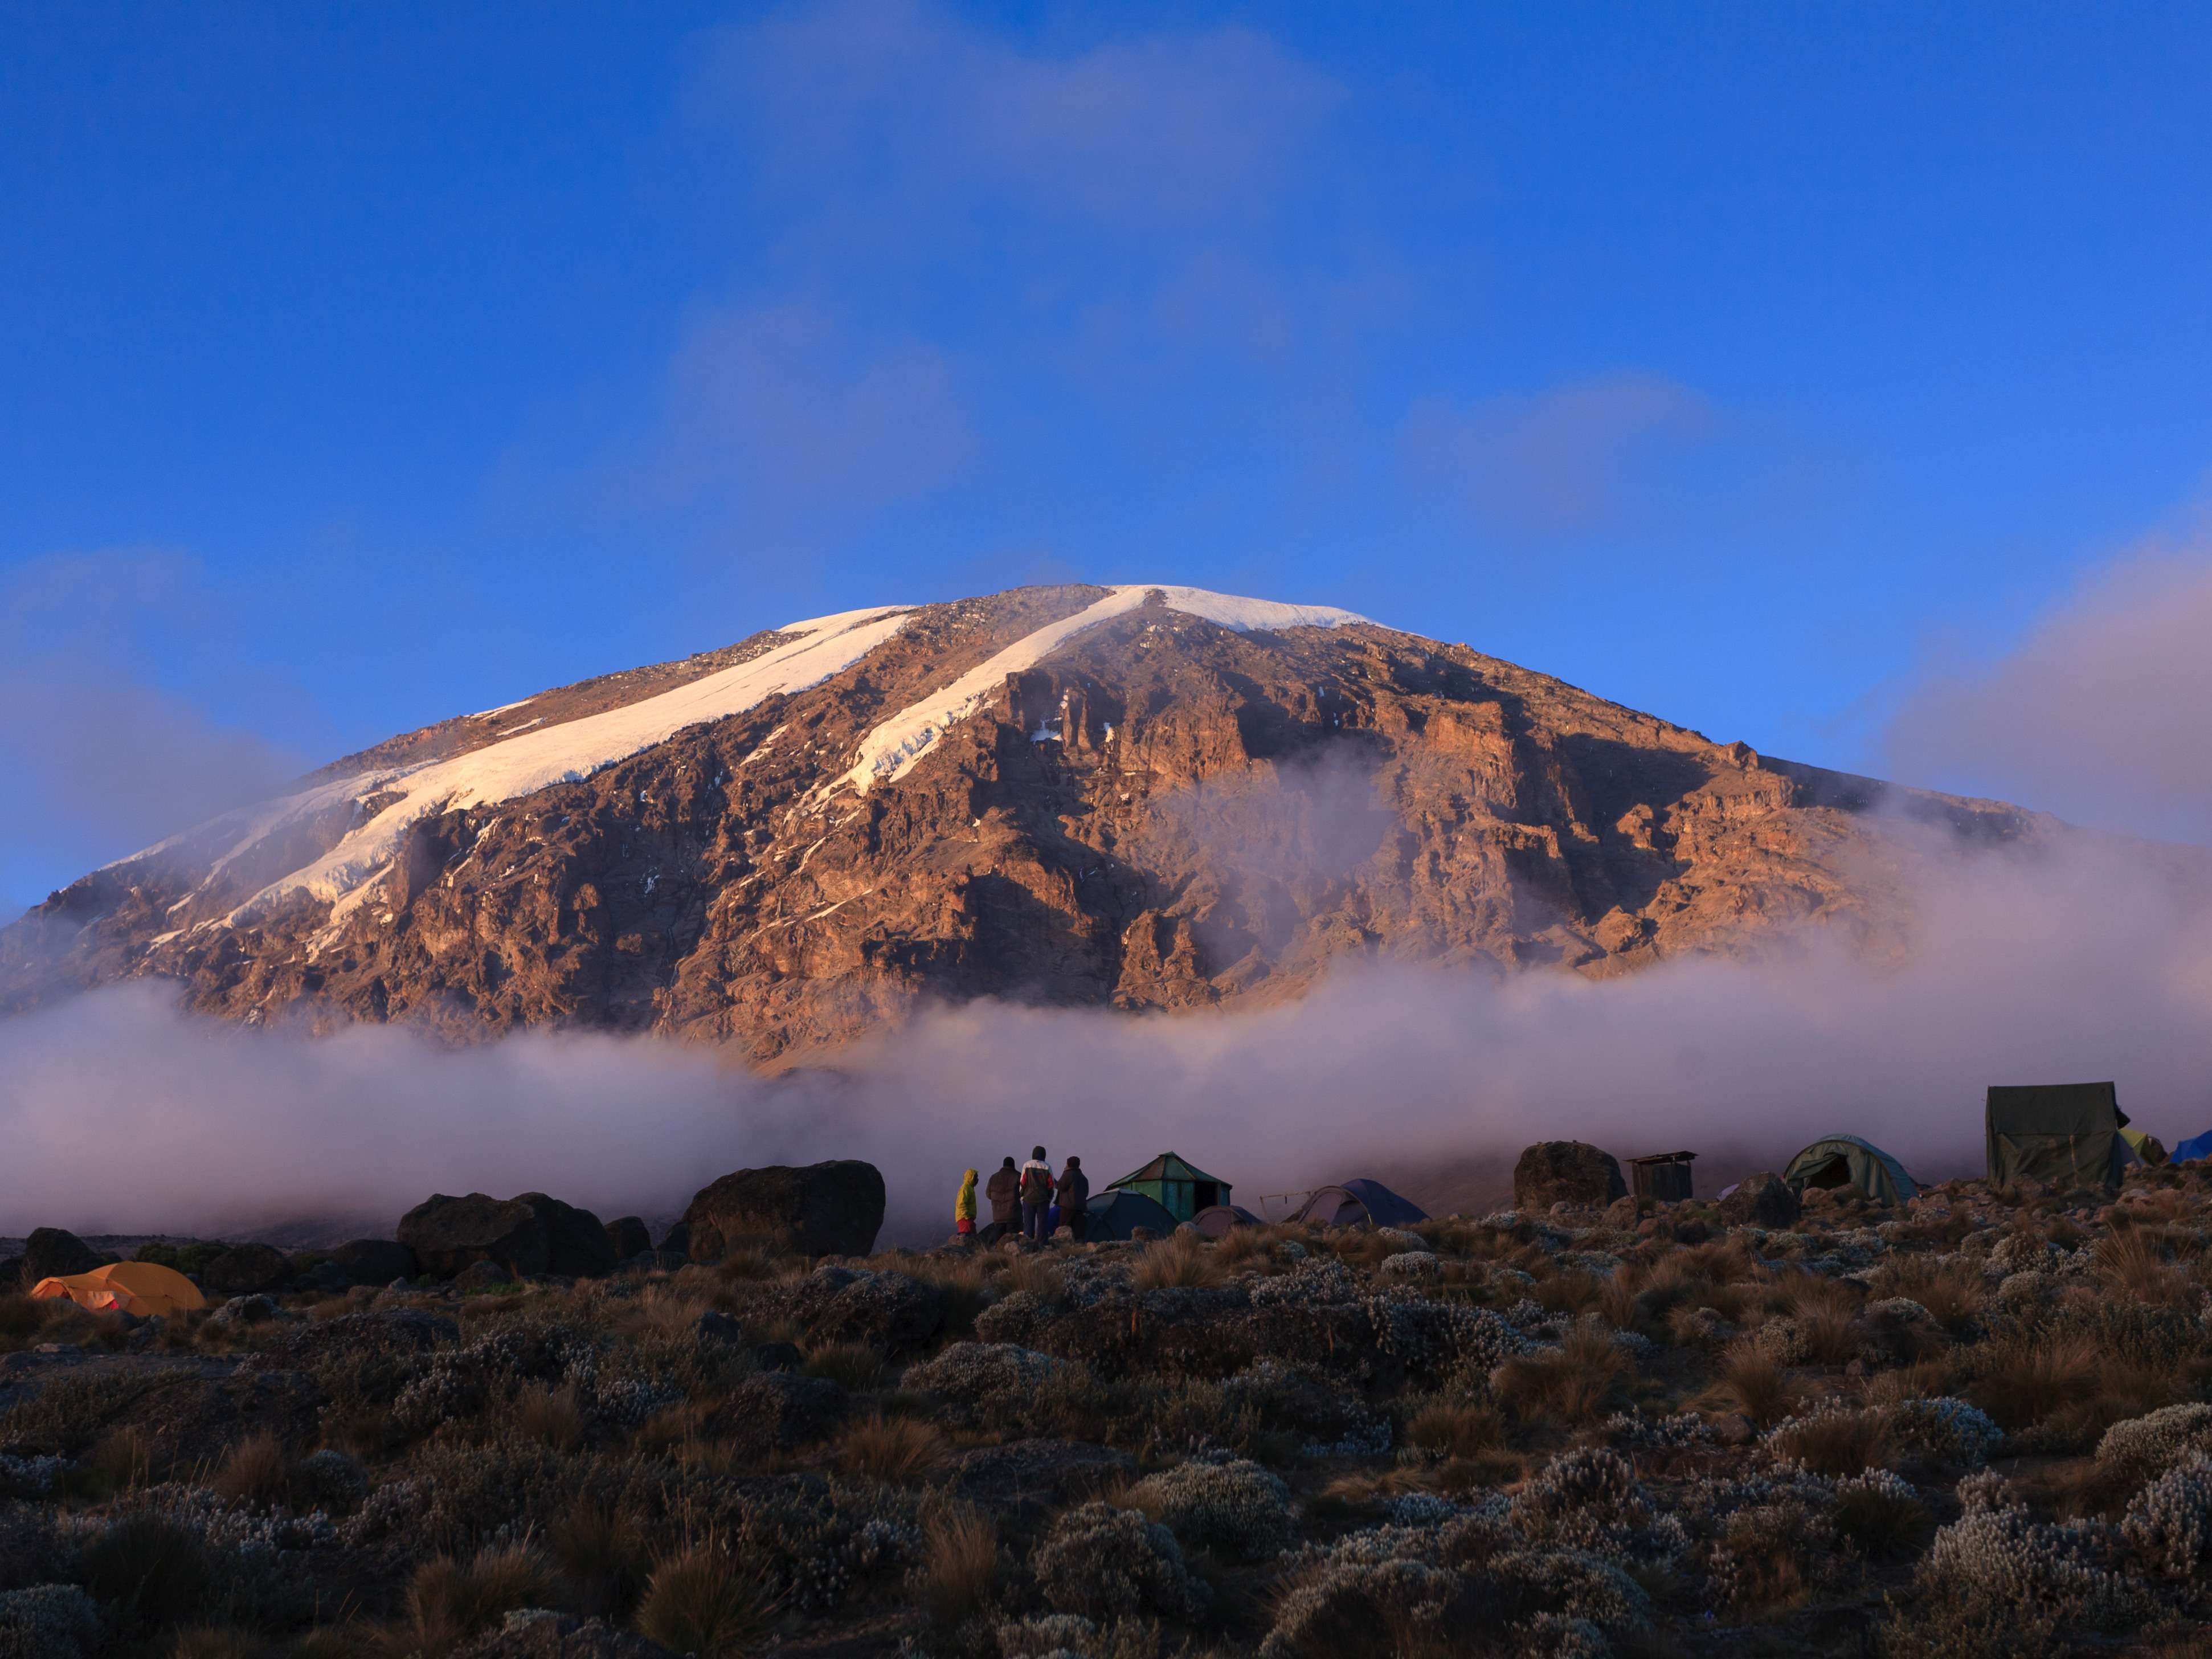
[1822,377]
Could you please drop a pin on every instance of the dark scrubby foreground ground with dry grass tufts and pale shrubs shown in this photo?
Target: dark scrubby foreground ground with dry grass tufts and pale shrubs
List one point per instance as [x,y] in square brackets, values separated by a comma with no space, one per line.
[1972,1426]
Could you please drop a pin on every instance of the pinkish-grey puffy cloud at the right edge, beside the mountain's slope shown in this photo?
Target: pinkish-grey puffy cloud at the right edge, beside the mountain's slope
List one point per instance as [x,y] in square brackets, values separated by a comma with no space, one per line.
[2103,713]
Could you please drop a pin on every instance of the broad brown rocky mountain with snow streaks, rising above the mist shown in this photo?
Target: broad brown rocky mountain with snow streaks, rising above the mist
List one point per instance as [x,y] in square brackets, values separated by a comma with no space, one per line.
[1112,797]
